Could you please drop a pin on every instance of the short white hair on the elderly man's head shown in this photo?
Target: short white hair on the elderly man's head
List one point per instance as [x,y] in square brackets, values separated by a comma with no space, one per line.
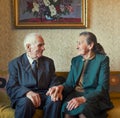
[30,38]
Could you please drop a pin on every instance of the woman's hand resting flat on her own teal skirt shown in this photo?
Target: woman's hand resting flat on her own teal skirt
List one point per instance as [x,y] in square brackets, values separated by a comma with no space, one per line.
[75,102]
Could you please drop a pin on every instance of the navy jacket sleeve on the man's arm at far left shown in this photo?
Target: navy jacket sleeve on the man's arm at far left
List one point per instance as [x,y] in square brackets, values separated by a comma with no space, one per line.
[13,87]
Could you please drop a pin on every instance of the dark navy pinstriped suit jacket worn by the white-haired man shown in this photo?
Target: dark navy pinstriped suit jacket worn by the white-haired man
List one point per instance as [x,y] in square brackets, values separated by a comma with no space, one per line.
[21,79]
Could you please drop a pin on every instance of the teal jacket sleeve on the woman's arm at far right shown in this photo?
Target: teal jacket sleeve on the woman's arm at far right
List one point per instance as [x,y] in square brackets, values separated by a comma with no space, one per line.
[103,81]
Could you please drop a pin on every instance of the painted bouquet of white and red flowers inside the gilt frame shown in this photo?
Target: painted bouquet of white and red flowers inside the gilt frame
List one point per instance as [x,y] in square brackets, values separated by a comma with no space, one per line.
[49,9]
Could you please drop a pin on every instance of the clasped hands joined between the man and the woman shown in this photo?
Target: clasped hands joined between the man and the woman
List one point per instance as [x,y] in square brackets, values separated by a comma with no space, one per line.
[55,92]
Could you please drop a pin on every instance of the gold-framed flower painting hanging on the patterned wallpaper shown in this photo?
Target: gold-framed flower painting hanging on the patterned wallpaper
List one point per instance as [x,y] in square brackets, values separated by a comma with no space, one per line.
[50,13]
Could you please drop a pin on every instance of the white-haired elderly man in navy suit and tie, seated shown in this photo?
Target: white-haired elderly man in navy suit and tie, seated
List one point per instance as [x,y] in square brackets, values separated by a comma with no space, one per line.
[30,76]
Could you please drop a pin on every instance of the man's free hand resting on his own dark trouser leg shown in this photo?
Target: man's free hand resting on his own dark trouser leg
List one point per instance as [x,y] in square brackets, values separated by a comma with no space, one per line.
[35,98]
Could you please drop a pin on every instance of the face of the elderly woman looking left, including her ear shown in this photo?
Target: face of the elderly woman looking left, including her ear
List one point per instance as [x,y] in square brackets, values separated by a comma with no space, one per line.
[82,46]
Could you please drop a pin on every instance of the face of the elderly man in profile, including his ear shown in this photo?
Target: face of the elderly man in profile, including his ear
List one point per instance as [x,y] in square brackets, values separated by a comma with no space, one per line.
[36,49]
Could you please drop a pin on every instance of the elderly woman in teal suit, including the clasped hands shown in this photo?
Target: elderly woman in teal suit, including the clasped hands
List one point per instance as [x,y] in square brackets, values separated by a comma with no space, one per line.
[86,90]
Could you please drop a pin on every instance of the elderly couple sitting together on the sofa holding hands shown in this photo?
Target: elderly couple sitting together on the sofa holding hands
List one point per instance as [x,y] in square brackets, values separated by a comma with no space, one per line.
[84,94]
